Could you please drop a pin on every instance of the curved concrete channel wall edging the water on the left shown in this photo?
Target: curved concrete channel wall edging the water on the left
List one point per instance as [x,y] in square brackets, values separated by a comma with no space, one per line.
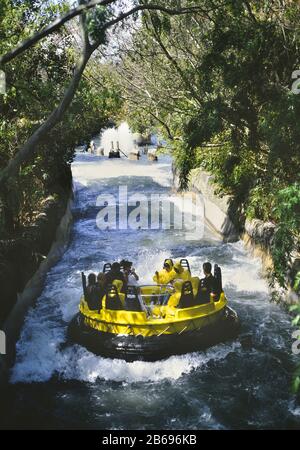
[33,289]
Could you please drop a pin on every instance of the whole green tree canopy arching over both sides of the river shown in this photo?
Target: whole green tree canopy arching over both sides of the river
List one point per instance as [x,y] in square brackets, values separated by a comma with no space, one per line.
[213,76]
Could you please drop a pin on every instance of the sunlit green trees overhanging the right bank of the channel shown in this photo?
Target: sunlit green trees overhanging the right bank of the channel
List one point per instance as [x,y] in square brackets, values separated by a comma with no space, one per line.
[218,87]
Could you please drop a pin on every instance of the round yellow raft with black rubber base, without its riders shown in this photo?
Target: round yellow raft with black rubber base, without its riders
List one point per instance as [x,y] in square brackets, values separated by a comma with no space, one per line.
[139,325]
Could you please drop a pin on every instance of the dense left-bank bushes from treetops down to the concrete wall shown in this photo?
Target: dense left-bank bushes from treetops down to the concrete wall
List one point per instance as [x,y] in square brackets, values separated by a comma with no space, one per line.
[36,82]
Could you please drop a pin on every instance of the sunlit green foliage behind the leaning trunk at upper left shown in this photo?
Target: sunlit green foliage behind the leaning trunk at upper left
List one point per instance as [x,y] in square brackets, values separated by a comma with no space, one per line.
[35,85]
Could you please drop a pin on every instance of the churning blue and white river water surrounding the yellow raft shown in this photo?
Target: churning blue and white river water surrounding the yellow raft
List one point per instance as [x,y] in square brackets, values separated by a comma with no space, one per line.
[228,386]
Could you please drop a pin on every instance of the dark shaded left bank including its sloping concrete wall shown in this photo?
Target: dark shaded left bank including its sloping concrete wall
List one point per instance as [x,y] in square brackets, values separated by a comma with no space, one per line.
[25,261]
